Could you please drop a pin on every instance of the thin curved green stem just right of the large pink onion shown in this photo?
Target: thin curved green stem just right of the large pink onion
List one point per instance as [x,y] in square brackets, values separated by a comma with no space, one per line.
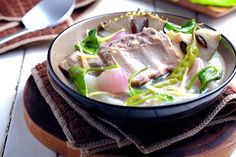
[134,91]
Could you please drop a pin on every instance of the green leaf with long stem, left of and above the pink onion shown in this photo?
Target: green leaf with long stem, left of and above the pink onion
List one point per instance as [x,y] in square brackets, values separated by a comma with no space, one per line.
[77,75]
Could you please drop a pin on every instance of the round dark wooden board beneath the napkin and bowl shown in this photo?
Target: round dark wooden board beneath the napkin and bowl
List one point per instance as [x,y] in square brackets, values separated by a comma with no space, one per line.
[214,142]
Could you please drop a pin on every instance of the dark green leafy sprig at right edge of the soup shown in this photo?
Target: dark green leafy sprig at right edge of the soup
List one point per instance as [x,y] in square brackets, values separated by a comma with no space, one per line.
[206,75]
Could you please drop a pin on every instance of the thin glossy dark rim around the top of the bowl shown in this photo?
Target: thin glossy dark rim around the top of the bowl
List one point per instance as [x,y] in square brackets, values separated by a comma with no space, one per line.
[167,105]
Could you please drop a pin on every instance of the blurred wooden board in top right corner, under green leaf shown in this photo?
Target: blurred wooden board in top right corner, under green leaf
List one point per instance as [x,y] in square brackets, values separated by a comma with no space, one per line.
[208,10]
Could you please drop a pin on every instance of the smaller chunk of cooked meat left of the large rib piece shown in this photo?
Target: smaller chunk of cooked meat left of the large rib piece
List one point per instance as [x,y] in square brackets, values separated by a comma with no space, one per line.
[74,59]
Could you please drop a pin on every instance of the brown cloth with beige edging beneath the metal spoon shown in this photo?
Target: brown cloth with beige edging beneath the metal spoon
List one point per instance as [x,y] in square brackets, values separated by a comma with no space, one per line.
[12,11]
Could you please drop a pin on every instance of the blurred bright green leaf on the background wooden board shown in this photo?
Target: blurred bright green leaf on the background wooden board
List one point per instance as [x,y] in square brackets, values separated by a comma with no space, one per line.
[219,3]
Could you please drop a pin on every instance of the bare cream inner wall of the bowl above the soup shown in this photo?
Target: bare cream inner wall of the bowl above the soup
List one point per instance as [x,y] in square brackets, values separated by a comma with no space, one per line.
[63,45]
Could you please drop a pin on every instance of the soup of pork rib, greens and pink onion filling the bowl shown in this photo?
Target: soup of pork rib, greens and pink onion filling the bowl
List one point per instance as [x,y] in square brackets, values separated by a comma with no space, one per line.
[140,59]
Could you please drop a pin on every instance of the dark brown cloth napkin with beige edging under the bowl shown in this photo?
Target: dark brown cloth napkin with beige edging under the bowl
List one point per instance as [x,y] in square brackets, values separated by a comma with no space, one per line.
[92,134]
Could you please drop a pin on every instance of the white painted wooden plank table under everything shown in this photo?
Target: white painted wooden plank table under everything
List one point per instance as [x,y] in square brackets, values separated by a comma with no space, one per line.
[15,138]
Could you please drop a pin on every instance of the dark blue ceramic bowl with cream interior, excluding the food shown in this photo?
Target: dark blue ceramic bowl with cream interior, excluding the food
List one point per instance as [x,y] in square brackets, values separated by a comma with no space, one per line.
[63,46]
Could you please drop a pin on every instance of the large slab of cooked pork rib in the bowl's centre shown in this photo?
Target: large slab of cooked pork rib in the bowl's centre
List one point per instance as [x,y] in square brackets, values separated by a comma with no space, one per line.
[149,48]
